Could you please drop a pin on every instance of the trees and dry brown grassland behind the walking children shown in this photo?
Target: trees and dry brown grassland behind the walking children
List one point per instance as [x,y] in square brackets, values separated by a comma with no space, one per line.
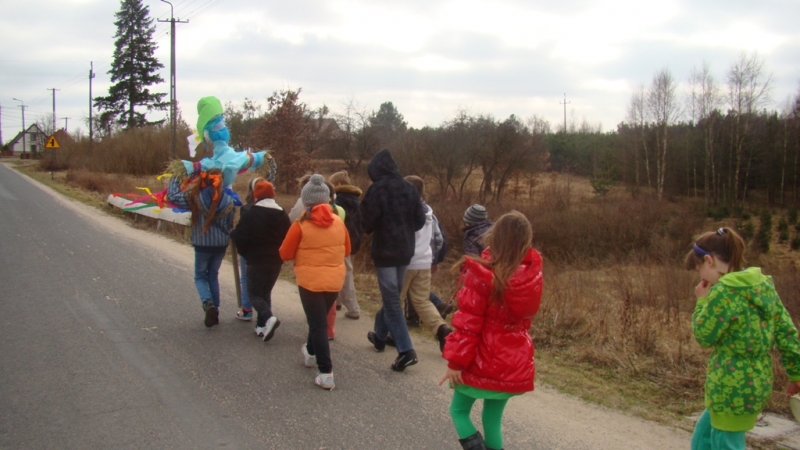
[613,213]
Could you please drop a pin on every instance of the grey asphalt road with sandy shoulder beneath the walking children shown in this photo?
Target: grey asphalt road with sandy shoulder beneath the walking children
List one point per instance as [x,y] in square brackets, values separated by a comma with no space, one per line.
[102,346]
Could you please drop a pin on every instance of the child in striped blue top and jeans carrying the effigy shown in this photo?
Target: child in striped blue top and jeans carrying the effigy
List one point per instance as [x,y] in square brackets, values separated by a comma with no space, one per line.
[212,220]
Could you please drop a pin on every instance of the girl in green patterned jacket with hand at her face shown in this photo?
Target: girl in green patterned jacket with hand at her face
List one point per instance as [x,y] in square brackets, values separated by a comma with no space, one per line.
[738,314]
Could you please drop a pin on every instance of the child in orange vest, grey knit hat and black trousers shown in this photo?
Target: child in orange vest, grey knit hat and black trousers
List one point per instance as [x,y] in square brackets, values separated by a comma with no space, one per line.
[318,243]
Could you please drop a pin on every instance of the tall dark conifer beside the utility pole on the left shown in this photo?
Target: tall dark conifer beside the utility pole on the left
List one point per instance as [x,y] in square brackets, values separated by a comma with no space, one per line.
[134,68]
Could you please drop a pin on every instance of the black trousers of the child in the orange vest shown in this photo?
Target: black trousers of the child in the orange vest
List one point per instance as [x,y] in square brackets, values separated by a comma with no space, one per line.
[317,305]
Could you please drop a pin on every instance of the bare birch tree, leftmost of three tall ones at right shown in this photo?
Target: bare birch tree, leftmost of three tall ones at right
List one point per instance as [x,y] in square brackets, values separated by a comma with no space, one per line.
[663,109]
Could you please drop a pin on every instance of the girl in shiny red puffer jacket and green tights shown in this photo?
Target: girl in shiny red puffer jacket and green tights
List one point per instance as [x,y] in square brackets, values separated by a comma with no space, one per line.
[490,353]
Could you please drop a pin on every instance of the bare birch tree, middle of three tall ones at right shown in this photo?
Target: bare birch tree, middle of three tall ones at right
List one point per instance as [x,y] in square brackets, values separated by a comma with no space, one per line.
[706,99]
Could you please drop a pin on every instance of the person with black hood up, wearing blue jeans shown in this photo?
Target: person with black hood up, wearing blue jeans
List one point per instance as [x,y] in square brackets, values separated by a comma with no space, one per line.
[392,211]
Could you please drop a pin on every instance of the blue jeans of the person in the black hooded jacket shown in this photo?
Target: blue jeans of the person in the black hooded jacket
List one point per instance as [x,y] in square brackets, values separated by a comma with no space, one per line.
[390,318]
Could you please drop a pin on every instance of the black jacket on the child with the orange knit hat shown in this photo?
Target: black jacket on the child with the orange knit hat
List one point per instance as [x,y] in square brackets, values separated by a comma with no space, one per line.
[260,232]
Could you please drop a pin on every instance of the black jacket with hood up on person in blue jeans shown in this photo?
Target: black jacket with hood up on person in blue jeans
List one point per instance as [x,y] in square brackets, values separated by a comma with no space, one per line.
[392,211]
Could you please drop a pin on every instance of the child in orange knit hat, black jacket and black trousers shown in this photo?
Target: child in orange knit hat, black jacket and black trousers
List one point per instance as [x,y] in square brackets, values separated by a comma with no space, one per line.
[258,237]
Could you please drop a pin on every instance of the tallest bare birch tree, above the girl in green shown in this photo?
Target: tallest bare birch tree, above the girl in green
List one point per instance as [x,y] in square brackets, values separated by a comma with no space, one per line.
[748,91]
